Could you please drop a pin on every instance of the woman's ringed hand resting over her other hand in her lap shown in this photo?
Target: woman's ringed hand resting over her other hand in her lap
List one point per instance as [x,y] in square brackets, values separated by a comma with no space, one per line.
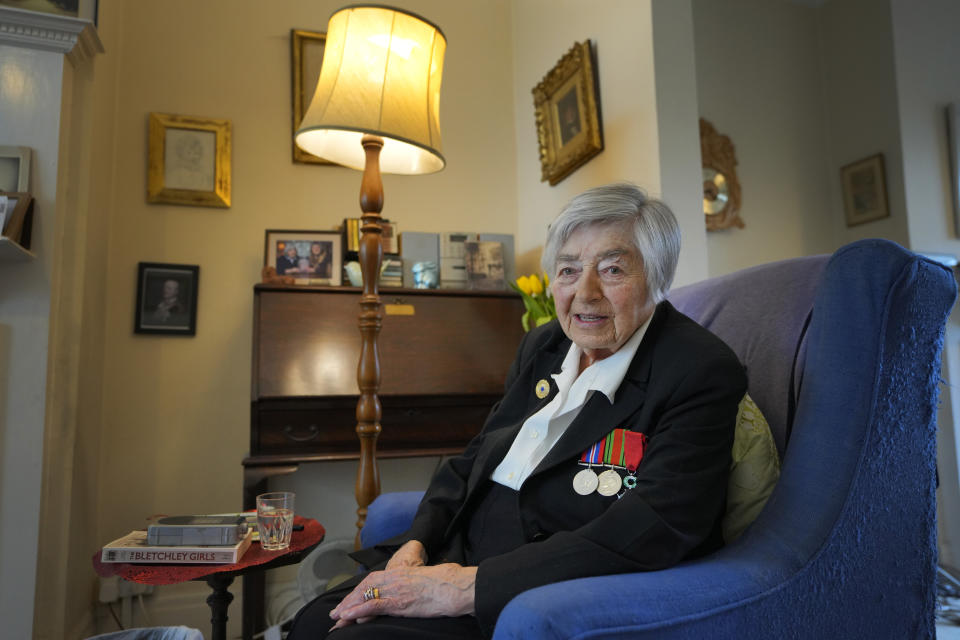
[411,592]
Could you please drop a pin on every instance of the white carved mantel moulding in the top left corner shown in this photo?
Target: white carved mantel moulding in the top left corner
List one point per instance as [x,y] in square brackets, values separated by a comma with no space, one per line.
[74,37]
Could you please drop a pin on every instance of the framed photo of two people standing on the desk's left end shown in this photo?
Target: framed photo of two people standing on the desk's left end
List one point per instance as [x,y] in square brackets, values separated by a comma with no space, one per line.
[310,257]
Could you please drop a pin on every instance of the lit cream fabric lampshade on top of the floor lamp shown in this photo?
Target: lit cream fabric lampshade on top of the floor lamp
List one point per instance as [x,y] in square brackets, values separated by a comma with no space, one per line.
[381,75]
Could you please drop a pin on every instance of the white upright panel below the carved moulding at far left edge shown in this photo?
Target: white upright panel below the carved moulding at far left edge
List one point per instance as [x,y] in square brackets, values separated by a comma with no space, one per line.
[30,98]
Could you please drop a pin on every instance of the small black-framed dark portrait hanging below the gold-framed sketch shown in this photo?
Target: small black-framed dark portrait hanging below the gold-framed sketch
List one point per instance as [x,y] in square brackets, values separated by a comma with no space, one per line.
[167,298]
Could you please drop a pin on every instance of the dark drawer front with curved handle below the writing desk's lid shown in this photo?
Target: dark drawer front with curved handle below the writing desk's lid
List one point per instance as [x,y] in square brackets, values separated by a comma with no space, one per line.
[409,424]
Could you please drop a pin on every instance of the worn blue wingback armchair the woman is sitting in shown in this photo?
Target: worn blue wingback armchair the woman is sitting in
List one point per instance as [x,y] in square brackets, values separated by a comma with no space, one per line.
[843,357]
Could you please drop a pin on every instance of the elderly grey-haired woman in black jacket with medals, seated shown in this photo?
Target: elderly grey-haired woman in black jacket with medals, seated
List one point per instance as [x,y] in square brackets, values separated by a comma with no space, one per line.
[608,453]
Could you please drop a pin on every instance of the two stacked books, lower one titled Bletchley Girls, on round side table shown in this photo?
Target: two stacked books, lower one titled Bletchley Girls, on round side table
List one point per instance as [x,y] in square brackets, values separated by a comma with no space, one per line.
[198,541]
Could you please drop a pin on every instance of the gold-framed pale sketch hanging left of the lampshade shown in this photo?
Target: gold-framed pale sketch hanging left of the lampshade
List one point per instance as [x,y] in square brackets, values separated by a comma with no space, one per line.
[189,160]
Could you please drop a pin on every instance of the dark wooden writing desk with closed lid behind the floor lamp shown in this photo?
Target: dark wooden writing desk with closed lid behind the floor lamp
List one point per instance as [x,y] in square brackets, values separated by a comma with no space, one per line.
[444,359]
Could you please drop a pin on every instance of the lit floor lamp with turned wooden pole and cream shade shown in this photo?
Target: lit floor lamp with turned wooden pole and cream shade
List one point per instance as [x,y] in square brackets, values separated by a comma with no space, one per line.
[376,108]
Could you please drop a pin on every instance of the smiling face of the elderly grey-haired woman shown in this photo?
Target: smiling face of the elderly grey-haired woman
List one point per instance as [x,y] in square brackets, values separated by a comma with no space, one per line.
[600,289]
